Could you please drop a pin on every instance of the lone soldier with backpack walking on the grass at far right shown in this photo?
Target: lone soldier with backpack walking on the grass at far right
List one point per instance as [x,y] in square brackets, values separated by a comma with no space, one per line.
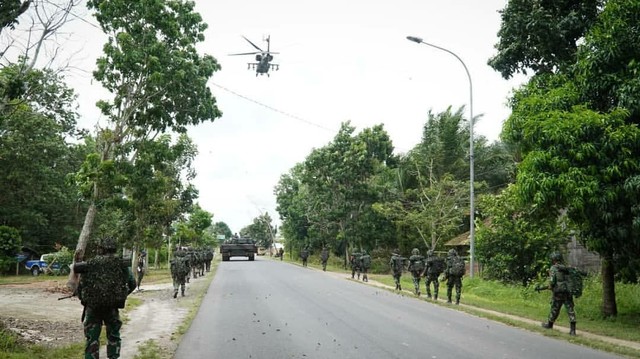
[565,283]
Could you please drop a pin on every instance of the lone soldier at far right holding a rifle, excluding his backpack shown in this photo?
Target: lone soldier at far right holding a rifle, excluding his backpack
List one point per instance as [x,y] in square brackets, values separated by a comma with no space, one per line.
[561,295]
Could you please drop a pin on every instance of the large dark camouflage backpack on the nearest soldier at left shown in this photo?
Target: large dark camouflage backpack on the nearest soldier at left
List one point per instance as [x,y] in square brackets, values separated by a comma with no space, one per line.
[104,284]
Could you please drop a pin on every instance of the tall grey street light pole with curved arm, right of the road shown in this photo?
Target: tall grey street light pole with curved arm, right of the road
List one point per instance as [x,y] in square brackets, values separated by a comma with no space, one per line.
[471,173]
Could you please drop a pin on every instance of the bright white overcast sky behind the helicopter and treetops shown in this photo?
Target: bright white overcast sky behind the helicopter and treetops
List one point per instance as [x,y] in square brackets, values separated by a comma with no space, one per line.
[339,60]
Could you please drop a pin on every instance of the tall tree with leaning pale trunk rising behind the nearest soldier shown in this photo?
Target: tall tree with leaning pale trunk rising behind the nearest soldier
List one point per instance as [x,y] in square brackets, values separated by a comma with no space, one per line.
[158,82]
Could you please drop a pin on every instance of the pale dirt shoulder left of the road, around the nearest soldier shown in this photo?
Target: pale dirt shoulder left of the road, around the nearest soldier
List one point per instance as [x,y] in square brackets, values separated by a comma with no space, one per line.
[36,314]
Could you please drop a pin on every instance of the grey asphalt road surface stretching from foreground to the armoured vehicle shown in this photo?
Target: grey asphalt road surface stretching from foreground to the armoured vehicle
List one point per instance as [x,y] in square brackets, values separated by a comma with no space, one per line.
[271,309]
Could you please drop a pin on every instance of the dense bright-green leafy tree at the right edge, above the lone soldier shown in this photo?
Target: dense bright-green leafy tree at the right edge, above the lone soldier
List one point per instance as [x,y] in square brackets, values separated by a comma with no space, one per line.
[578,135]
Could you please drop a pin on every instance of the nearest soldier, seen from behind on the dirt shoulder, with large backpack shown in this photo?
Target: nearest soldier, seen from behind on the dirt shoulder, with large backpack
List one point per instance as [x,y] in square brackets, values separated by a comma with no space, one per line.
[105,283]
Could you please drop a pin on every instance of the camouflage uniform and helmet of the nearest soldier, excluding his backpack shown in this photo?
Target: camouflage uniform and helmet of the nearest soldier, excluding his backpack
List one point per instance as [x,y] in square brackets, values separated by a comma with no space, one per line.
[94,316]
